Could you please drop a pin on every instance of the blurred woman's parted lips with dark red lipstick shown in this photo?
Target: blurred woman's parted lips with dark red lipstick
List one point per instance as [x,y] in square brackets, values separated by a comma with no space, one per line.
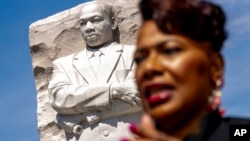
[157,94]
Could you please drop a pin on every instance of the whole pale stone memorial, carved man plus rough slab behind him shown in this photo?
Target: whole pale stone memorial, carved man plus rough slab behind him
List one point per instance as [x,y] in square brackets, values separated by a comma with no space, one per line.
[90,88]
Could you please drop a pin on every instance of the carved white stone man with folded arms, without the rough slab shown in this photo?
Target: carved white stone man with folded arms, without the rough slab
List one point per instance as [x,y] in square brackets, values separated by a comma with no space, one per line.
[93,90]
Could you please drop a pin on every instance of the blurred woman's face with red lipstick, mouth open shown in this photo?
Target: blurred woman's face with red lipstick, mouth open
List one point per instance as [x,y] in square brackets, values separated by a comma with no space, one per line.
[174,73]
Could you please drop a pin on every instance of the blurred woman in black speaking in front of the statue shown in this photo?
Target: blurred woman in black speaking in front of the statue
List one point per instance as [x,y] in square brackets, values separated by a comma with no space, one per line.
[180,71]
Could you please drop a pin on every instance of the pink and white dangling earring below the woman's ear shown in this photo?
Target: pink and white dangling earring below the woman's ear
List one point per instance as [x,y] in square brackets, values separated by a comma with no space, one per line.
[214,99]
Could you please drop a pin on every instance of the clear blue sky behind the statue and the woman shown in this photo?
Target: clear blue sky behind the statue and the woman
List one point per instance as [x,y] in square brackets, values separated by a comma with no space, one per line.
[18,121]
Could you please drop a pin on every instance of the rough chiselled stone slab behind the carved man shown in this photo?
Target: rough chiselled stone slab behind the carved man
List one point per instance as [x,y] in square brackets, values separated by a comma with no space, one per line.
[59,35]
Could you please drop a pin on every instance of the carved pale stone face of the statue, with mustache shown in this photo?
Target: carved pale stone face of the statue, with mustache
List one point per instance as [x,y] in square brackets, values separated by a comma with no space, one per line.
[96,26]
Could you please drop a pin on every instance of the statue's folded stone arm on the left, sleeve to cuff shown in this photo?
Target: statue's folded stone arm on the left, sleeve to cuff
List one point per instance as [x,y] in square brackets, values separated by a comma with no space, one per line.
[69,97]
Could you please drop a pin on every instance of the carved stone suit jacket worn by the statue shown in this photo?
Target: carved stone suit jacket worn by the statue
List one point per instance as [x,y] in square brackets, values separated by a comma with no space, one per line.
[76,92]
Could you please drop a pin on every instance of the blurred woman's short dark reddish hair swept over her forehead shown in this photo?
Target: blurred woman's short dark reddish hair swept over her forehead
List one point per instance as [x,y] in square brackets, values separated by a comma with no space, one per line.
[197,19]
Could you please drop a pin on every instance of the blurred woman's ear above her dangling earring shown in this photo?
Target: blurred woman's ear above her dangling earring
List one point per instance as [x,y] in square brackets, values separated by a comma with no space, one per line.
[217,68]
